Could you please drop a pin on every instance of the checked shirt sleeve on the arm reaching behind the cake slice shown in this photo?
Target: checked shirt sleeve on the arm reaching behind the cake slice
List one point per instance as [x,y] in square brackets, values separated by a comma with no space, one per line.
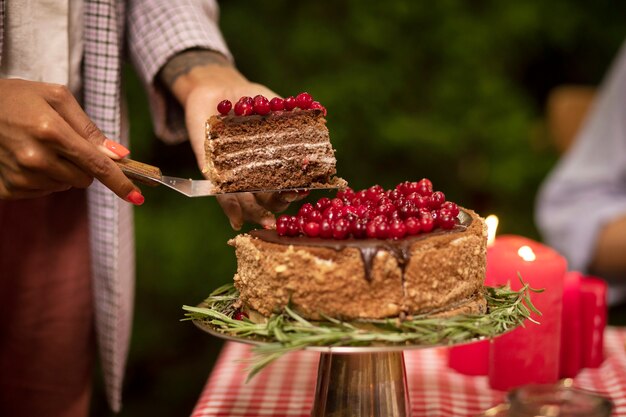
[160,29]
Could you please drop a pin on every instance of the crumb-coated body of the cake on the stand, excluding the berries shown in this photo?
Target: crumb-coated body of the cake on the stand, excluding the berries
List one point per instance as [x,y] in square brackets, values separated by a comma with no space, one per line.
[436,273]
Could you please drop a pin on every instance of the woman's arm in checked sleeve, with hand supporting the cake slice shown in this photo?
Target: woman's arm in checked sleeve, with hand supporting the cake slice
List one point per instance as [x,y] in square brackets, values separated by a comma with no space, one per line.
[191,64]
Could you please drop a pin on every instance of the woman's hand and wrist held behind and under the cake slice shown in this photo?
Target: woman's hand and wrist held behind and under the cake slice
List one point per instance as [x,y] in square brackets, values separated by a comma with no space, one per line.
[210,79]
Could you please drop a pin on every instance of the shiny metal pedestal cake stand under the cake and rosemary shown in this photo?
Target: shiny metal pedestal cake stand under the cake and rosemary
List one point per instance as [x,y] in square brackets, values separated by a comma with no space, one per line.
[355,381]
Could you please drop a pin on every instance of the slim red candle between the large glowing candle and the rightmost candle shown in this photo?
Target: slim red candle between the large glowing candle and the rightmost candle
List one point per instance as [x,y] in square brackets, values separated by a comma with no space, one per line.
[571,327]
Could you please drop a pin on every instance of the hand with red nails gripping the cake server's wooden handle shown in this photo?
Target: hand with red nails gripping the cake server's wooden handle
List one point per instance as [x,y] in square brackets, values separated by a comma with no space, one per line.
[49,144]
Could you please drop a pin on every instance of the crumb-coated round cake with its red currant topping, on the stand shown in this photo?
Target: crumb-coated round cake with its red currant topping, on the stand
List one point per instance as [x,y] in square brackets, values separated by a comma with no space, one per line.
[369,254]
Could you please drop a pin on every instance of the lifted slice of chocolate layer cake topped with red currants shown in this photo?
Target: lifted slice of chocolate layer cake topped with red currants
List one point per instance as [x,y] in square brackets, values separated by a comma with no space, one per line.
[262,144]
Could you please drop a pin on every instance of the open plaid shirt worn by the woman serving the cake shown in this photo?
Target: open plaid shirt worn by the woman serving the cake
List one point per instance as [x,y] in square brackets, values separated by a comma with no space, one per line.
[156,30]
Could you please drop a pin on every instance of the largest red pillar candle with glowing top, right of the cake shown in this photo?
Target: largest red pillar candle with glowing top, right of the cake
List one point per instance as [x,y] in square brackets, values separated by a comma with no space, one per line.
[528,354]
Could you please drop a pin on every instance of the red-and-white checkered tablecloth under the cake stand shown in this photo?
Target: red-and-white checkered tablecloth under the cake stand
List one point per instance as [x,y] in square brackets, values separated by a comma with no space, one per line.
[286,388]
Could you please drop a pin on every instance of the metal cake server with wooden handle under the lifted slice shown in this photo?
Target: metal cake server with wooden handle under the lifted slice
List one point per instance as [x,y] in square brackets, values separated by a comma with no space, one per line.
[152,176]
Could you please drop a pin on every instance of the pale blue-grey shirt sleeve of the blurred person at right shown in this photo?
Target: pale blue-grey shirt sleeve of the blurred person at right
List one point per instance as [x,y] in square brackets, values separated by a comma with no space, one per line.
[587,188]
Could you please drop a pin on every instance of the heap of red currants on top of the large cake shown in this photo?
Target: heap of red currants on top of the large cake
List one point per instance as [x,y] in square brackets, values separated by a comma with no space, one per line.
[409,209]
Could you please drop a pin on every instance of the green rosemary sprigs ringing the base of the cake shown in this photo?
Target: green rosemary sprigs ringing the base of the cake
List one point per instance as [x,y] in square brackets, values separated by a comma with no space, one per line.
[288,331]
